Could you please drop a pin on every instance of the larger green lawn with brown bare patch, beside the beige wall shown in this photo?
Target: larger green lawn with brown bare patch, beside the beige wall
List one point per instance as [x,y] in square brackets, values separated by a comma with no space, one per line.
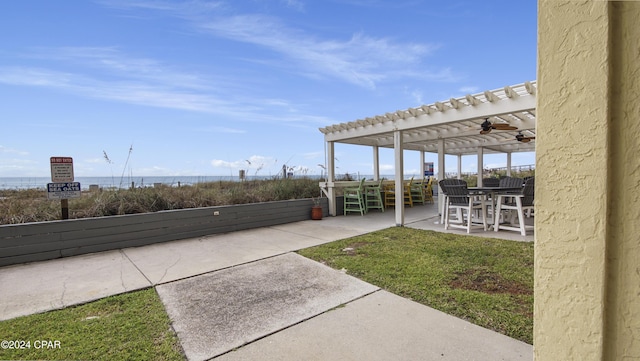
[486,281]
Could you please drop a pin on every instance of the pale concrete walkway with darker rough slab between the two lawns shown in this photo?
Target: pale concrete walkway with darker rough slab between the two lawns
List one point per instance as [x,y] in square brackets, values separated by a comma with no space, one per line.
[246,295]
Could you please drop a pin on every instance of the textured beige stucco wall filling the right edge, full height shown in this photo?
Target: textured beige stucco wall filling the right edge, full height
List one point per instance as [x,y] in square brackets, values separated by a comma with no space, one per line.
[587,279]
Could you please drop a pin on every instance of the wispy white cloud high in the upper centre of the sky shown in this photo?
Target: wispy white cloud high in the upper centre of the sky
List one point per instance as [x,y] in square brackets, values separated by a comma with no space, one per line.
[360,60]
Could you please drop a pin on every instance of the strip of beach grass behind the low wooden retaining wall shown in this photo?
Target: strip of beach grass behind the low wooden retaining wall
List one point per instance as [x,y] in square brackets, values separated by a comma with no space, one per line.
[32,205]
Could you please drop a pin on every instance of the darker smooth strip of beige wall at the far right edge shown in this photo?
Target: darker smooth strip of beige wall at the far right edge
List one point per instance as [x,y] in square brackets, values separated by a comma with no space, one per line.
[622,328]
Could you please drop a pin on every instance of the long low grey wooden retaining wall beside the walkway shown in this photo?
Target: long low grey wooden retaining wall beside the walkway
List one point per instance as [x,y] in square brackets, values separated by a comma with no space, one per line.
[29,242]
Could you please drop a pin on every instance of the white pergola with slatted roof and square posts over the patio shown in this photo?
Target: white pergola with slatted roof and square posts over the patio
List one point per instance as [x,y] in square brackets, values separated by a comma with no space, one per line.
[448,127]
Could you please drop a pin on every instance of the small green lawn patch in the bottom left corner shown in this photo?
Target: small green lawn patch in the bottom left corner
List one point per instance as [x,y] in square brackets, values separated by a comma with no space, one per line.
[131,326]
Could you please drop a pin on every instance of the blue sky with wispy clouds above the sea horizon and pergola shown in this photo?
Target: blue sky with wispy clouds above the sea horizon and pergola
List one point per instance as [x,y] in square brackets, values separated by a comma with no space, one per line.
[211,87]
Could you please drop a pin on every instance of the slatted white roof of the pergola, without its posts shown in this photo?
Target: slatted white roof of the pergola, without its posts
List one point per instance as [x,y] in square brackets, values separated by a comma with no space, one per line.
[457,117]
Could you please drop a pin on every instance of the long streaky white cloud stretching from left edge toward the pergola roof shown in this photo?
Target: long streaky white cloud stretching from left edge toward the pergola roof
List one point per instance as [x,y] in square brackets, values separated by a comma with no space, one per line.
[146,82]
